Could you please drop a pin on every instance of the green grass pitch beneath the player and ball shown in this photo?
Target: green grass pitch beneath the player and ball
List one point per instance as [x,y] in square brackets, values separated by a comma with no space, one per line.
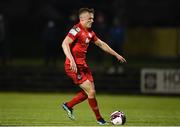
[43,109]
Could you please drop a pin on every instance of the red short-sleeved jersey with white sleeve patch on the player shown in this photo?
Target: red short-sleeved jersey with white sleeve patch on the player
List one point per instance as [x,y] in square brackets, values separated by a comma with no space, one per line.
[81,38]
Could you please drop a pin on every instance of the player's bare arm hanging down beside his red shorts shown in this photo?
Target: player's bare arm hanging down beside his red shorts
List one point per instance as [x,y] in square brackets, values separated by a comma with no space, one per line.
[65,45]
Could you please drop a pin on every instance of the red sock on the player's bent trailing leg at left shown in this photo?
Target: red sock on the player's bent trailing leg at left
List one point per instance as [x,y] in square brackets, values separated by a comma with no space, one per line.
[79,97]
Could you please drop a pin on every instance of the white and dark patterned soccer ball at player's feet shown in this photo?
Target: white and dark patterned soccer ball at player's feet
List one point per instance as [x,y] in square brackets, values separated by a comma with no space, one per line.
[118,118]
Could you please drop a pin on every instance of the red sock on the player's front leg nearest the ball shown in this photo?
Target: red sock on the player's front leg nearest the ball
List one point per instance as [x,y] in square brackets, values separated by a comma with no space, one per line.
[94,107]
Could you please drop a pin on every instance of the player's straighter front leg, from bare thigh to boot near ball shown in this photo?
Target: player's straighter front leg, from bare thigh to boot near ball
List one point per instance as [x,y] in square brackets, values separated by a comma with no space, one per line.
[89,88]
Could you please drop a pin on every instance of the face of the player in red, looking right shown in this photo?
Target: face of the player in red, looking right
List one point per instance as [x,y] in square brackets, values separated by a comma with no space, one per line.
[88,19]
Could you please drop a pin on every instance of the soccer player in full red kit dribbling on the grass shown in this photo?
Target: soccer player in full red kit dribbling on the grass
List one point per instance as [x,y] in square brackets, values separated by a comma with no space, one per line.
[75,47]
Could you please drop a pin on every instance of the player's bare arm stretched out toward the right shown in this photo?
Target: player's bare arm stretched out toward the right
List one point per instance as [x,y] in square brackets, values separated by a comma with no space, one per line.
[109,50]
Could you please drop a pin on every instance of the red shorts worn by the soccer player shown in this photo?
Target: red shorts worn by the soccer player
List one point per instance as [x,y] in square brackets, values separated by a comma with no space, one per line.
[83,74]
